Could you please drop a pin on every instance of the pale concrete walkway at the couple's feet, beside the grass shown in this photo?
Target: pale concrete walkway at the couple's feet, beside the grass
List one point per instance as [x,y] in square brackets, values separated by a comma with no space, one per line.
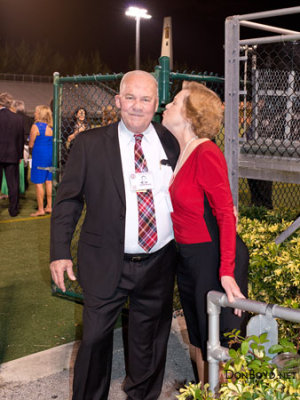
[48,375]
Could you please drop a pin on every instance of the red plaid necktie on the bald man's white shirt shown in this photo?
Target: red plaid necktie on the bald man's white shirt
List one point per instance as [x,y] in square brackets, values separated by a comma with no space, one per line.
[146,211]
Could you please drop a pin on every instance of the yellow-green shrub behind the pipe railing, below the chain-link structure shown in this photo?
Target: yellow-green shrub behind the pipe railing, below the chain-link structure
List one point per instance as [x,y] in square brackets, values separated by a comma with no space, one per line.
[274,270]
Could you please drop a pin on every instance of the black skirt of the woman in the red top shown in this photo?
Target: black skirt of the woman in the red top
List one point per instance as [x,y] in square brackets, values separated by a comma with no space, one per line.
[198,273]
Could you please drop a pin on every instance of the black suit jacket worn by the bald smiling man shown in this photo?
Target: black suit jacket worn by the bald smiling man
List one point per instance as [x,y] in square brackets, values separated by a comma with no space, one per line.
[94,173]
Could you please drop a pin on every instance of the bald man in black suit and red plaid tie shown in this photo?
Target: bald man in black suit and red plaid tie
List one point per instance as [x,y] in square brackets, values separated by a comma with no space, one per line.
[104,170]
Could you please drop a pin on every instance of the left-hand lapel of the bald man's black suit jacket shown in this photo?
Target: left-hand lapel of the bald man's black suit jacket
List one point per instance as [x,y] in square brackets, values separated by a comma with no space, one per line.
[113,155]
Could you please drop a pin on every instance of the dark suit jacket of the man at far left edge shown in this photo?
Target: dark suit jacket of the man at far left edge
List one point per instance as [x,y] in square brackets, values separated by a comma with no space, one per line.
[11,136]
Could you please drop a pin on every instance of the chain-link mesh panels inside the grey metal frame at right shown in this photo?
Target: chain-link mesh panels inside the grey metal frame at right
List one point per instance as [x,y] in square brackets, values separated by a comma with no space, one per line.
[269,117]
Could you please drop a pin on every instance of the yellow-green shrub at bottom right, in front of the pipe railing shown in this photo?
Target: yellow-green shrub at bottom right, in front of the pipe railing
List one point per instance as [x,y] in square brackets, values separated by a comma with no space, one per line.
[251,374]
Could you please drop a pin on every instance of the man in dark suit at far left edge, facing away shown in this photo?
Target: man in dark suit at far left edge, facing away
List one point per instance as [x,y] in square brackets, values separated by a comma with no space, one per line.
[11,150]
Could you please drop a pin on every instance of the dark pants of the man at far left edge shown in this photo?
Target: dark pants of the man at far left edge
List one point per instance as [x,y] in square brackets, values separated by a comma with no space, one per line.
[12,178]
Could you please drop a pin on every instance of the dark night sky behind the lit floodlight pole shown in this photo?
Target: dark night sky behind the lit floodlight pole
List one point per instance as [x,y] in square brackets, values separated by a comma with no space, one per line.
[88,25]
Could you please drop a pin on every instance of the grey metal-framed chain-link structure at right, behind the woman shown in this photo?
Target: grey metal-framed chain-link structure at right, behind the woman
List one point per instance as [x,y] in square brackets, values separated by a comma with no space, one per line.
[262,113]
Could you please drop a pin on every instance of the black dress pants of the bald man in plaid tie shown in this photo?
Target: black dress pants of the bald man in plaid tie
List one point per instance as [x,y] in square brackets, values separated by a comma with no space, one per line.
[149,286]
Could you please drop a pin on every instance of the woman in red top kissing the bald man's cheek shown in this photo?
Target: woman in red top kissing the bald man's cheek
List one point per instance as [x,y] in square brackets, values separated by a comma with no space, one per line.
[203,217]
